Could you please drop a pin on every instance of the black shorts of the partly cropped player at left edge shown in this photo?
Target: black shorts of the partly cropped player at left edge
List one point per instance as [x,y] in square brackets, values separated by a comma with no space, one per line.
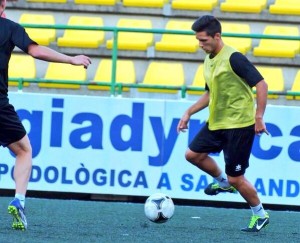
[11,128]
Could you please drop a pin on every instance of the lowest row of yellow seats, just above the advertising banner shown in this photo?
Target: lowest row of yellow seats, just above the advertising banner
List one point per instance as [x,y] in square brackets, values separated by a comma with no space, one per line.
[157,73]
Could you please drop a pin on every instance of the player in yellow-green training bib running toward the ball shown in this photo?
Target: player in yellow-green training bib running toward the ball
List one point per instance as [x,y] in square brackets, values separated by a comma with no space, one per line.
[233,119]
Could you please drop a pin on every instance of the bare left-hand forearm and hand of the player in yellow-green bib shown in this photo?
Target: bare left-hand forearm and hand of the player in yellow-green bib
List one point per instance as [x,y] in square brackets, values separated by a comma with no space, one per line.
[198,106]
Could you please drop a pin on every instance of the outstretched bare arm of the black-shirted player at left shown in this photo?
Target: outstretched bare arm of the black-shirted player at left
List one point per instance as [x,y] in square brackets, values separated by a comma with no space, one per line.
[50,55]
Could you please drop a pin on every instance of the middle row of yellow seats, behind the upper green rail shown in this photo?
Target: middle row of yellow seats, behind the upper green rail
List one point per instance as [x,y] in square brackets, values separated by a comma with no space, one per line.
[168,42]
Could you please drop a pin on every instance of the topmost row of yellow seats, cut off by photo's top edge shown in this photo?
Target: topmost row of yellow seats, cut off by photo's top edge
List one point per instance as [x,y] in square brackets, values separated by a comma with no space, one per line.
[289,7]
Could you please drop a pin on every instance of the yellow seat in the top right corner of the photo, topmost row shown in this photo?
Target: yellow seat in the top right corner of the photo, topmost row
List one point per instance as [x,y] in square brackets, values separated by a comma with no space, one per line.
[289,7]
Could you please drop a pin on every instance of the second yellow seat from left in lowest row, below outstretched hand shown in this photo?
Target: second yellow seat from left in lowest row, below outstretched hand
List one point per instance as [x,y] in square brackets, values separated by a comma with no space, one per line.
[63,72]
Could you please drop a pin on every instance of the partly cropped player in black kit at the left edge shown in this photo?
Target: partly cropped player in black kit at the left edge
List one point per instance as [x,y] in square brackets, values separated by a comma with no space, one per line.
[12,132]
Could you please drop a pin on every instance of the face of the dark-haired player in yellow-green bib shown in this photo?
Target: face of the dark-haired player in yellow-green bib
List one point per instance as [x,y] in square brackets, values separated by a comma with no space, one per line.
[207,43]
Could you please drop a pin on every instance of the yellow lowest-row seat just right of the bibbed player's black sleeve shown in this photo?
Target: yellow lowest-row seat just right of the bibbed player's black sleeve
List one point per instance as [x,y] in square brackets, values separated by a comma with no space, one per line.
[274,78]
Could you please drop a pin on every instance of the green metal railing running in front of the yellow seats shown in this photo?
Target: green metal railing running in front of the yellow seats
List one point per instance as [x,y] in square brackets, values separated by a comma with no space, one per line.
[116,88]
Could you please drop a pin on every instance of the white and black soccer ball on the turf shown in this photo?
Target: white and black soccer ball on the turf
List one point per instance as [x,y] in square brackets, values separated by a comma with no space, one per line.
[159,208]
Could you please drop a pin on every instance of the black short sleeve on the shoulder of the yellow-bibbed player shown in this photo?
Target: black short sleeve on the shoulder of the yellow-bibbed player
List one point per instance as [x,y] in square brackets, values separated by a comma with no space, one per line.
[244,69]
